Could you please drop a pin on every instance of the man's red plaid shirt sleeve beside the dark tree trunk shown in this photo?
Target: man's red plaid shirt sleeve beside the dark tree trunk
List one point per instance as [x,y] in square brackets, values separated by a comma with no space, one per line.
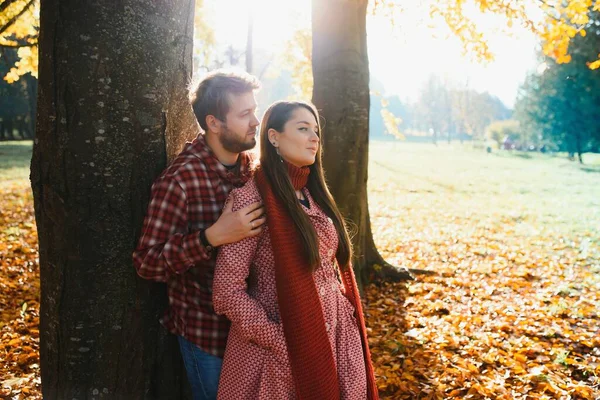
[165,246]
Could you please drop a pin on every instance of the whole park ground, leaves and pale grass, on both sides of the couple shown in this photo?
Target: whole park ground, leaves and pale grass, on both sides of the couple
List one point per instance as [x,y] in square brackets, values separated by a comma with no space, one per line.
[512,312]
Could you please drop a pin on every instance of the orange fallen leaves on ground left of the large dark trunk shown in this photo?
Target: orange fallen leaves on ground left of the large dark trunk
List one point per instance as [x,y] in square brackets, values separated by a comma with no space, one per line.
[19,294]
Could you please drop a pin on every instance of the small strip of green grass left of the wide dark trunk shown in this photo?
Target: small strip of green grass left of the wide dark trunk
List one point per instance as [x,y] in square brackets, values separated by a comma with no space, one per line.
[14,160]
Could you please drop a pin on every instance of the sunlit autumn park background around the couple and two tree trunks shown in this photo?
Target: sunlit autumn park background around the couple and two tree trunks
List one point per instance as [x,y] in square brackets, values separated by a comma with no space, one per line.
[484,176]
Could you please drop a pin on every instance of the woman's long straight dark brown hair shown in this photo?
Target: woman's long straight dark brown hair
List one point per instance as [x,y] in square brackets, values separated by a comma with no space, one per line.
[278,114]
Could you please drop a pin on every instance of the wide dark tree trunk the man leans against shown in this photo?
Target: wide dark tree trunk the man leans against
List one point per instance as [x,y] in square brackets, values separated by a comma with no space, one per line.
[111,110]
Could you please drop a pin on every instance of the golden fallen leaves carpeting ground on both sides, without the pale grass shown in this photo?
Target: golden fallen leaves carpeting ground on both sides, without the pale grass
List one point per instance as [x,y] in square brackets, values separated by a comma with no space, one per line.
[513,312]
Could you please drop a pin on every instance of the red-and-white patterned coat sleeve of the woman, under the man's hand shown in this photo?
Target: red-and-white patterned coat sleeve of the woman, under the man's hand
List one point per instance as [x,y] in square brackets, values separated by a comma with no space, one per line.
[231,298]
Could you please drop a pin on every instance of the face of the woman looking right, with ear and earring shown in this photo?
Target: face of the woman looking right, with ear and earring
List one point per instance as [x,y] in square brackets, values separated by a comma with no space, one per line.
[299,142]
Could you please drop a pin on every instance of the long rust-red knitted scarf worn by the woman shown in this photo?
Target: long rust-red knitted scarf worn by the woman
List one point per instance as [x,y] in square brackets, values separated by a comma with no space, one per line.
[309,349]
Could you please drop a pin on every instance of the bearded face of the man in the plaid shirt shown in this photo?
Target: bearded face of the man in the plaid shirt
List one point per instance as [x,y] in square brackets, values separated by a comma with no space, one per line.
[238,131]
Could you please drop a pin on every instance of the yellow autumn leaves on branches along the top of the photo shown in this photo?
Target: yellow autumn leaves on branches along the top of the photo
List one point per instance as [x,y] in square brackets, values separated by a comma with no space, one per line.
[561,21]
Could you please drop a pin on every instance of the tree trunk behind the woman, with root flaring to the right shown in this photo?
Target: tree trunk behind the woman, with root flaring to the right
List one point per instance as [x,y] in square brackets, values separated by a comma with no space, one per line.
[341,91]
